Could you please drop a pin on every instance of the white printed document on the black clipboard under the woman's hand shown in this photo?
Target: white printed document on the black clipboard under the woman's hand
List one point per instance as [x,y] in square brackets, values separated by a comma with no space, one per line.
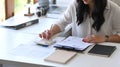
[73,42]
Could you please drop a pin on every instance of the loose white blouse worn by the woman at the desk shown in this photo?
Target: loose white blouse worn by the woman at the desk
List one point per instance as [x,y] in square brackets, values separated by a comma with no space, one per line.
[110,26]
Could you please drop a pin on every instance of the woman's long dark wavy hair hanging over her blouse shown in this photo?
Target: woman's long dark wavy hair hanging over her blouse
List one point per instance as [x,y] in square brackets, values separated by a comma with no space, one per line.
[97,13]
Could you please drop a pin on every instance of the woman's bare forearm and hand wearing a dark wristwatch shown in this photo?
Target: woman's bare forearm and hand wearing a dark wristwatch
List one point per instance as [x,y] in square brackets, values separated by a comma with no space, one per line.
[100,39]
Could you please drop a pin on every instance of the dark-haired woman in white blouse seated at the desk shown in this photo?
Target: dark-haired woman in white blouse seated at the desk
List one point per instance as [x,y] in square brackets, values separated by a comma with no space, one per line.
[94,20]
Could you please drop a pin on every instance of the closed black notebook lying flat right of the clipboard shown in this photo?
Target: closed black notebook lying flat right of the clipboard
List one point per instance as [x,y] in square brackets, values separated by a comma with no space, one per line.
[103,50]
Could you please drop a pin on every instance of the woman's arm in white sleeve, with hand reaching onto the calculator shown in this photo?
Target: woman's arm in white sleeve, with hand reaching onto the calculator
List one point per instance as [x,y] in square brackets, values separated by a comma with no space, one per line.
[61,24]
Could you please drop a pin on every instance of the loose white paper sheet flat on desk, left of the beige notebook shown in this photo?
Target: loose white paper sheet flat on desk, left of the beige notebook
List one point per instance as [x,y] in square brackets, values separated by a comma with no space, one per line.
[31,51]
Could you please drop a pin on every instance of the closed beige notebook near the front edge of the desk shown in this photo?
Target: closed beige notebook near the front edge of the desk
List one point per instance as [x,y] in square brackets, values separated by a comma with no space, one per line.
[60,56]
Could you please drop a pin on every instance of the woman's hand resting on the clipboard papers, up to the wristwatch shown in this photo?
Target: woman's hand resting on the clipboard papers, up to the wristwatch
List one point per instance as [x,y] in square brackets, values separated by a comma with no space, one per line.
[94,39]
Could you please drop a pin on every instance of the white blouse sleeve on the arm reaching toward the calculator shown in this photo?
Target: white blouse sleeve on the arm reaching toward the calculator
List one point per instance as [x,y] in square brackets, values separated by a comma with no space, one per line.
[67,16]
